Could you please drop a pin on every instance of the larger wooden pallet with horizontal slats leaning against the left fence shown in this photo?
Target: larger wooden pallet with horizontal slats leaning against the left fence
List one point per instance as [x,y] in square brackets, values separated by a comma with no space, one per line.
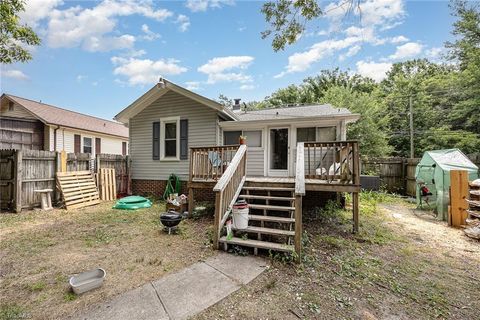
[78,189]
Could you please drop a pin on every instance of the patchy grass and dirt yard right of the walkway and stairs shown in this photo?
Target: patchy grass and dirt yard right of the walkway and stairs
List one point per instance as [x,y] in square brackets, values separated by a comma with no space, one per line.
[402,265]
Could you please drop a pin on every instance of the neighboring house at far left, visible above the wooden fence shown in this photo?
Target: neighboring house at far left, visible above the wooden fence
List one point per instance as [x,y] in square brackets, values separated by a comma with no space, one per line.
[28,124]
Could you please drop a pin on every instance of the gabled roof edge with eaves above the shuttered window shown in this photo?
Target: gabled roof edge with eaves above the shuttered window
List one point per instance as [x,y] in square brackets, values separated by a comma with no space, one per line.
[162,87]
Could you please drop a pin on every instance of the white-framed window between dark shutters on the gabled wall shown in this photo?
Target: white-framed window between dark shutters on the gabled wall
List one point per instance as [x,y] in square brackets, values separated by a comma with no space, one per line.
[170,138]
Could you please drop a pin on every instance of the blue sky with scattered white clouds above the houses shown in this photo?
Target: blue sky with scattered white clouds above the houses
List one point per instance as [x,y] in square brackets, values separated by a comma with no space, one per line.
[99,56]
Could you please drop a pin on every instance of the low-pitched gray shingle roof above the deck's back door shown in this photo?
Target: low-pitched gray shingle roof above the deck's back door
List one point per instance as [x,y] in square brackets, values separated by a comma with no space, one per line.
[294,112]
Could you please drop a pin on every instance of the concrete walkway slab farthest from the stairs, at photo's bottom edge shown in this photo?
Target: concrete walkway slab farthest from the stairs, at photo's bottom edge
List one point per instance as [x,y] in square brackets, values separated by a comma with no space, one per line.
[140,304]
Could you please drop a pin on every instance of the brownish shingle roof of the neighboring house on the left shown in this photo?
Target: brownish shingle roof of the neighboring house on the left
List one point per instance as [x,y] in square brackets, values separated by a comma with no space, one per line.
[52,115]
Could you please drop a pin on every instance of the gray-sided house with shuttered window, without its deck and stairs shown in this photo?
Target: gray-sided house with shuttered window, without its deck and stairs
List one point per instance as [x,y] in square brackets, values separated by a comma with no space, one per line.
[168,120]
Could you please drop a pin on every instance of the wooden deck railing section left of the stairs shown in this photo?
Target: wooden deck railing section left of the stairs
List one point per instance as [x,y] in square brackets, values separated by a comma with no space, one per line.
[210,163]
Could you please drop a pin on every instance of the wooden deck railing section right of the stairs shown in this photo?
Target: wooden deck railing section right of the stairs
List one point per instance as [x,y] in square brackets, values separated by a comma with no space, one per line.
[336,161]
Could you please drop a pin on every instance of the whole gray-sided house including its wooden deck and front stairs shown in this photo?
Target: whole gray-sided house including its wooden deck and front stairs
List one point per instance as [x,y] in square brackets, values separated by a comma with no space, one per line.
[293,155]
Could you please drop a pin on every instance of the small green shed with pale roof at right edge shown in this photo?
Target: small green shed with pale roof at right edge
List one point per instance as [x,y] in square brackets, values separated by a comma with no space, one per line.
[434,171]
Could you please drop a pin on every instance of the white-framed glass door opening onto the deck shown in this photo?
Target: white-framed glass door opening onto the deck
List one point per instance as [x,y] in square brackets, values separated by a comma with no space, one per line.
[278,152]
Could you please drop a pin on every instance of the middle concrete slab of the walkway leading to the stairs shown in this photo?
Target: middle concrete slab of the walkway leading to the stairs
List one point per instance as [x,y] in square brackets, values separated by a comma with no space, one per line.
[193,289]
